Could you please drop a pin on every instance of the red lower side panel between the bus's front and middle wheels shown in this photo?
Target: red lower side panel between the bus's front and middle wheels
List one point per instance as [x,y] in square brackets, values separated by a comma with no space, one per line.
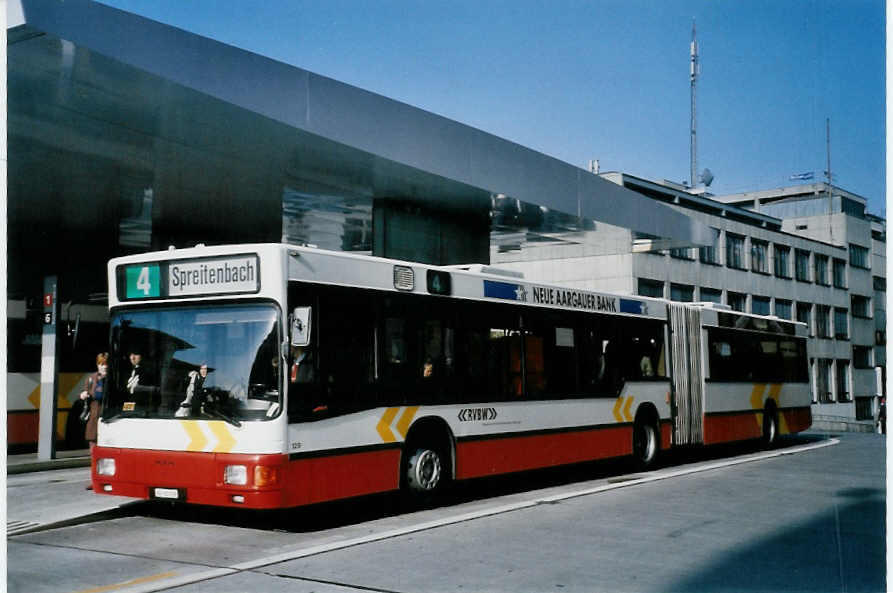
[486,457]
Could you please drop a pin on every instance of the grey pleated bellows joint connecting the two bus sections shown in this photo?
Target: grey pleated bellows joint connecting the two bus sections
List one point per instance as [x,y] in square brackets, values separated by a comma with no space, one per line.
[687,399]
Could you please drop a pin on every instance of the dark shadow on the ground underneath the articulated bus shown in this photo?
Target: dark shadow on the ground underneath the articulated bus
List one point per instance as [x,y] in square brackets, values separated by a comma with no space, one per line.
[331,515]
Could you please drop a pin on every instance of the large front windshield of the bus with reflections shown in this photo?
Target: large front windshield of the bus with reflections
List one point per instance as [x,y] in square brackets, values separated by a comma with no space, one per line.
[195,363]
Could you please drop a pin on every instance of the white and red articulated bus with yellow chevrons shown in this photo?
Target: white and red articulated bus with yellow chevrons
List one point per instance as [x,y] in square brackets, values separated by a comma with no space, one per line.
[271,376]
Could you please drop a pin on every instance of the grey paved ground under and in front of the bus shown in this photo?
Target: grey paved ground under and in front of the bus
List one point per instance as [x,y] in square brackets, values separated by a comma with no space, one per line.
[807,521]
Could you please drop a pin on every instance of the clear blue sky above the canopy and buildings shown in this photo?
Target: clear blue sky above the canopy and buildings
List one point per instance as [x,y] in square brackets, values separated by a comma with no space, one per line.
[604,79]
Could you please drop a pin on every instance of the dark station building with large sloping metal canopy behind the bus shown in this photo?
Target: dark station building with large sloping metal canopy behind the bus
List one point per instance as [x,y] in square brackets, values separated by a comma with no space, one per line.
[127,135]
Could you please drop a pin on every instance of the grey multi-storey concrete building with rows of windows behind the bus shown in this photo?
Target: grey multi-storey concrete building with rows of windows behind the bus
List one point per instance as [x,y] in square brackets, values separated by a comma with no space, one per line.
[807,252]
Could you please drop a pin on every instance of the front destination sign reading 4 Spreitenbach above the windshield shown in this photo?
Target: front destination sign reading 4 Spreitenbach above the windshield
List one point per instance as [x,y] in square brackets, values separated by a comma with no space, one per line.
[189,277]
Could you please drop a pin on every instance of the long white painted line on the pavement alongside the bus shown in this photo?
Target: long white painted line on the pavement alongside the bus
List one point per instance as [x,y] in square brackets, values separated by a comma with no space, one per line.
[461,518]
